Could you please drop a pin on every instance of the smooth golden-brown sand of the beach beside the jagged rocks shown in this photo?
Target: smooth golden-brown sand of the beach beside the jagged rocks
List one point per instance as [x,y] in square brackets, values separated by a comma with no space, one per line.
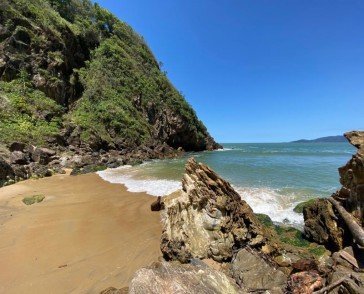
[85,236]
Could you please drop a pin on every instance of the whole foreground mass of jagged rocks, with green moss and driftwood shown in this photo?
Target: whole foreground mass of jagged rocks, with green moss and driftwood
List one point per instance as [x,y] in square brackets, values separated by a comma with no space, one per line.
[212,242]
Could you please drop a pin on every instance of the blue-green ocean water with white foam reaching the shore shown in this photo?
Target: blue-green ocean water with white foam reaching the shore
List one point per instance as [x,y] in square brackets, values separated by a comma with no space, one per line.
[272,178]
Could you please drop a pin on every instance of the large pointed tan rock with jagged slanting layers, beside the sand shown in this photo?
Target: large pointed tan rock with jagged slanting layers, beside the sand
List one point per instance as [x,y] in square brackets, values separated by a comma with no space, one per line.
[208,219]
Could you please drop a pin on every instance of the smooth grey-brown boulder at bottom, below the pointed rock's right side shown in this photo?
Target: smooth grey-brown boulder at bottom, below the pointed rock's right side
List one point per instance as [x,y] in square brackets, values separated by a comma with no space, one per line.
[254,273]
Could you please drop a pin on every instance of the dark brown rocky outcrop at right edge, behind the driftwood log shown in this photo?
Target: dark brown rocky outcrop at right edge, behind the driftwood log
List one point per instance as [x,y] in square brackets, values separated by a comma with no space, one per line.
[324,223]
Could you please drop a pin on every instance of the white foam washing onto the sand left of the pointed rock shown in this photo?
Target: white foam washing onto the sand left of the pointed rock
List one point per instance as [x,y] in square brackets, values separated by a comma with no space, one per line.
[125,175]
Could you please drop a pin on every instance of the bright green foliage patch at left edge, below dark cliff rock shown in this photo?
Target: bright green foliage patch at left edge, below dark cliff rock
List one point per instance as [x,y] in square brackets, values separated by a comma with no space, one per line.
[27,115]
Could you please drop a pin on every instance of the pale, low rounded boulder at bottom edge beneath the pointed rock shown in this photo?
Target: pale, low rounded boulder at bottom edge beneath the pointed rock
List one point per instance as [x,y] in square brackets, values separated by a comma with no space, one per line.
[170,277]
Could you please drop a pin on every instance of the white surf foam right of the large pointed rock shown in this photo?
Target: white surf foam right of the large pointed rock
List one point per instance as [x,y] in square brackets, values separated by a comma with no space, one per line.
[268,201]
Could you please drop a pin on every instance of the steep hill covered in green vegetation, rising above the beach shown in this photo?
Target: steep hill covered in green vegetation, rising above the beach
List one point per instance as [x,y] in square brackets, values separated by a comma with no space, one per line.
[73,74]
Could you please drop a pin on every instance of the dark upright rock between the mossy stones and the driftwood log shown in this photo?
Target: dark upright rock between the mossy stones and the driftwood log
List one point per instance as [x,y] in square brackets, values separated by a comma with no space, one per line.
[323,226]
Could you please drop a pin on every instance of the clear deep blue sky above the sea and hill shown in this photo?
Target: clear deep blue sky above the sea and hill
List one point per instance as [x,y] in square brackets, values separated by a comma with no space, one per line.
[259,70]
